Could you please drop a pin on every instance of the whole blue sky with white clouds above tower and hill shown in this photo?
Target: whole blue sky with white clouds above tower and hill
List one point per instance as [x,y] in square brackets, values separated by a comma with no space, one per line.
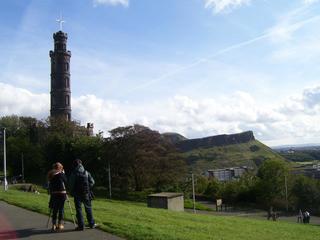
[197,67]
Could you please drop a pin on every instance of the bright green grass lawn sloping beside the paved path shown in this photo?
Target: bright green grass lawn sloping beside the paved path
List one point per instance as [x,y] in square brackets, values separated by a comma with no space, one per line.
[136,221]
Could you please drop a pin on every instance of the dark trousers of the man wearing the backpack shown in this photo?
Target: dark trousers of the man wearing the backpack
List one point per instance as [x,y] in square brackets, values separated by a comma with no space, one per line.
[78,200]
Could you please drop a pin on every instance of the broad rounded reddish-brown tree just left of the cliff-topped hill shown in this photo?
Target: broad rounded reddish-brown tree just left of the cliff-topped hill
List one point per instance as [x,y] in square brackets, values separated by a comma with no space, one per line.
[142,158]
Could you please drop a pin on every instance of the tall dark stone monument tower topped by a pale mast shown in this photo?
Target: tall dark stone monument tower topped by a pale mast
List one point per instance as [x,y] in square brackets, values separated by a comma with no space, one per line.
[60,77]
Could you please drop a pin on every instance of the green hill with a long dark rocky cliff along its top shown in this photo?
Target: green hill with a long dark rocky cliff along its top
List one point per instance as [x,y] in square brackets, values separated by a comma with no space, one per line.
[241,149]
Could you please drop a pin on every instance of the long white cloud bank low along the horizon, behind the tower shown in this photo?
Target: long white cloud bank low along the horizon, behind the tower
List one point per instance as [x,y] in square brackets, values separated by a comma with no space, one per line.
[294,121]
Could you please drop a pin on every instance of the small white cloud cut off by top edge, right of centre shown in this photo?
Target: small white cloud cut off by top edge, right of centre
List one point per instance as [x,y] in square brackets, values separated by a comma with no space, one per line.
[224,5]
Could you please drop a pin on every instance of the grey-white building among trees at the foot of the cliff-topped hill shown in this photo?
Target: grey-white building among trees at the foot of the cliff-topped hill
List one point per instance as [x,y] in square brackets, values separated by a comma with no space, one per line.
[227,174]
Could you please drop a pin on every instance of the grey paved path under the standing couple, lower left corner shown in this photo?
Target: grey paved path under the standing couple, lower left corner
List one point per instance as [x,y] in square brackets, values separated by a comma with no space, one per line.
[18,223]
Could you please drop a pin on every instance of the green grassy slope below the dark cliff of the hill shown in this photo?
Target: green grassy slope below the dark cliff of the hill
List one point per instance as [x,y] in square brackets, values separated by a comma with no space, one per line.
[230,156]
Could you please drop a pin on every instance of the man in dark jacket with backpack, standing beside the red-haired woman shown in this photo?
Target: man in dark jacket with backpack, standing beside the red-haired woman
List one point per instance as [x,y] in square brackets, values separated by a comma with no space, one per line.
[80,183]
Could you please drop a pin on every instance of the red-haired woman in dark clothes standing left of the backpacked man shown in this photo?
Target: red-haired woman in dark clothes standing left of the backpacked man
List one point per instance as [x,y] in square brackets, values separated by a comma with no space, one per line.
[57,182]
